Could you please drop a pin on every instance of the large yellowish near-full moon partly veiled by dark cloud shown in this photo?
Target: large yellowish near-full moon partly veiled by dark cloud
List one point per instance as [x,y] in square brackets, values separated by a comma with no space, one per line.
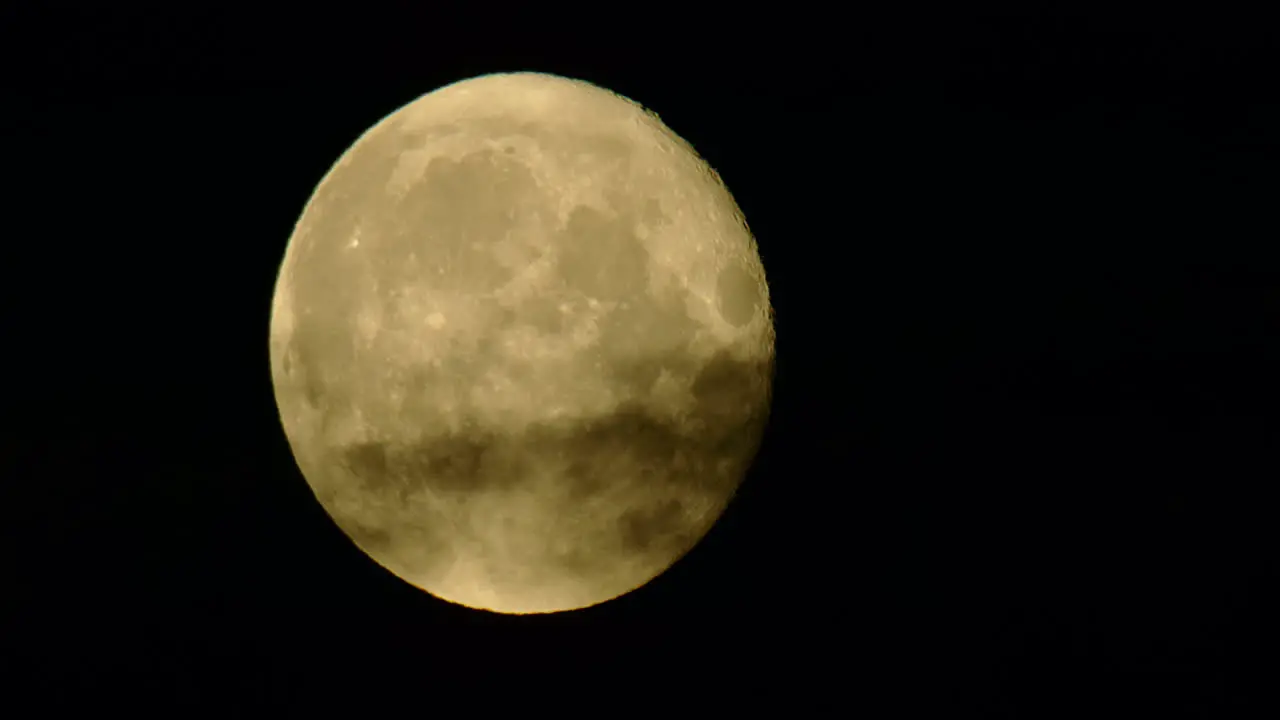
[522,344]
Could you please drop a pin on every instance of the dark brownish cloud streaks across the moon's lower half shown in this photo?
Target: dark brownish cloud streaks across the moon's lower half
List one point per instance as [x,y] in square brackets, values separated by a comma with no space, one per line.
[661,470]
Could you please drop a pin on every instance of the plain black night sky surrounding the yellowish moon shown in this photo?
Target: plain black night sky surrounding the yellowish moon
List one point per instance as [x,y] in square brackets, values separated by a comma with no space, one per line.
[1025,431]
